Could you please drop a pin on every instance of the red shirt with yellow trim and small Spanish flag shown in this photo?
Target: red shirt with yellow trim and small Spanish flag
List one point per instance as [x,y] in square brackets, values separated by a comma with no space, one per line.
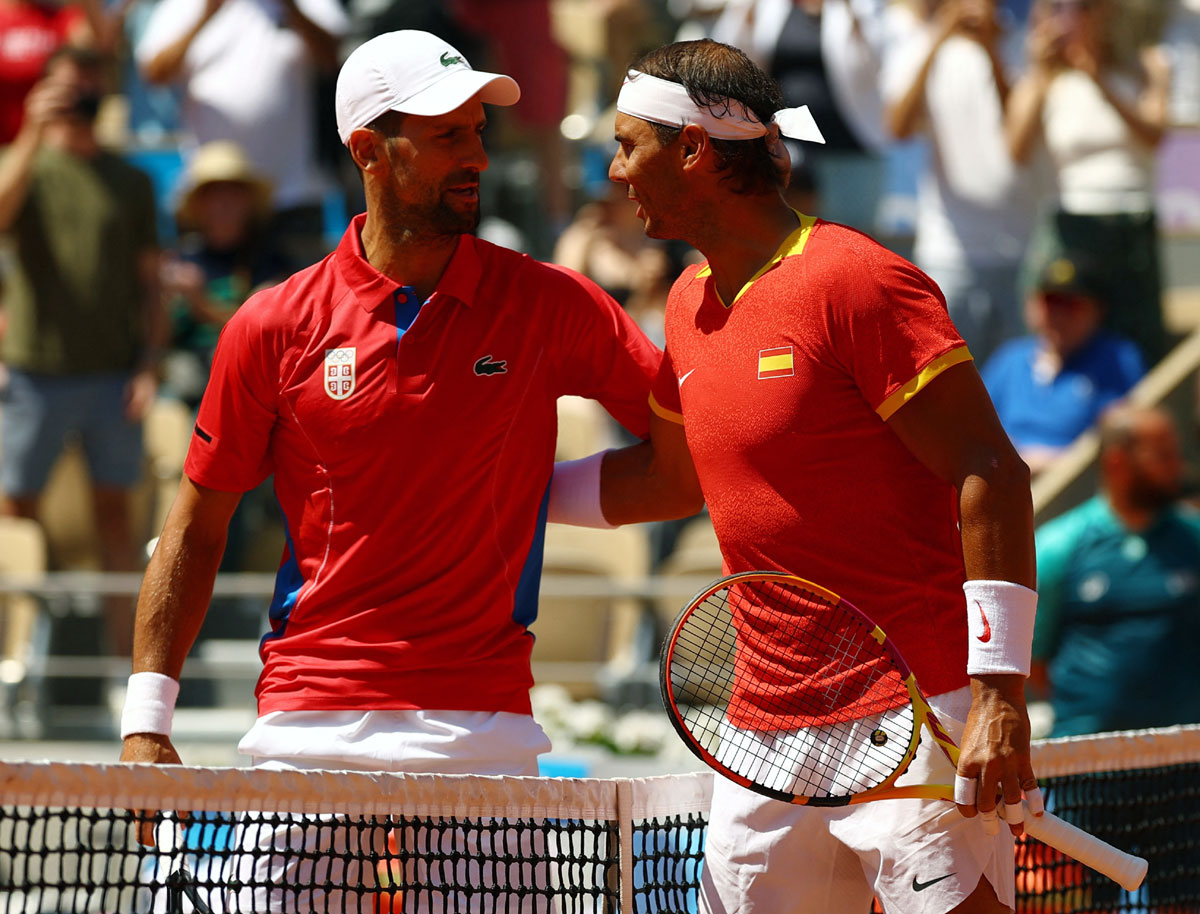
[785,398]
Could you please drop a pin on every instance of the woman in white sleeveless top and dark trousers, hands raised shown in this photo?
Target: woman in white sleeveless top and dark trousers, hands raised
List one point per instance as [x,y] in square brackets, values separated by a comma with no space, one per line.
[1096,101]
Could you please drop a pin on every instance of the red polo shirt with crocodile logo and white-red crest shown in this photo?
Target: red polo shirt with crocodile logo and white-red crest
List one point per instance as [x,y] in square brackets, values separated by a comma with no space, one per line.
[412,448]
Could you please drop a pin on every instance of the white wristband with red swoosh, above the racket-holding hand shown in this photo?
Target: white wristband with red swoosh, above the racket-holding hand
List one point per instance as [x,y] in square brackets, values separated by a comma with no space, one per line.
[1000,627]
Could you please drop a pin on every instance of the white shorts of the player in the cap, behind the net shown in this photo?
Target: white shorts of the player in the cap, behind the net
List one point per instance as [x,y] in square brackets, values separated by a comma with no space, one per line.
[326,865]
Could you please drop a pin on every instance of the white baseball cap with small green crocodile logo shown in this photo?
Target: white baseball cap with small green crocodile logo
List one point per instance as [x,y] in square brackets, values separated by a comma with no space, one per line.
[413,73]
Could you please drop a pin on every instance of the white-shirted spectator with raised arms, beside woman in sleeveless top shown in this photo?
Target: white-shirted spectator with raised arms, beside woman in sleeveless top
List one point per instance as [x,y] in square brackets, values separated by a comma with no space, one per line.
[946,77]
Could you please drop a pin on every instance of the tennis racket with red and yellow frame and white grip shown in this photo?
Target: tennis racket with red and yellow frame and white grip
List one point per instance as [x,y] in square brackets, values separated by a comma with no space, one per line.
[791,691]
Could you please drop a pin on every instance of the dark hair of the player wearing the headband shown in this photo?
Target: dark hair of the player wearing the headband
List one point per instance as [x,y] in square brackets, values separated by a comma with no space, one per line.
[713,74]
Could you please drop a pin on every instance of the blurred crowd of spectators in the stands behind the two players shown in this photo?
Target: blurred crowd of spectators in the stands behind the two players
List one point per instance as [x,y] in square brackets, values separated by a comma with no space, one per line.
[169,158]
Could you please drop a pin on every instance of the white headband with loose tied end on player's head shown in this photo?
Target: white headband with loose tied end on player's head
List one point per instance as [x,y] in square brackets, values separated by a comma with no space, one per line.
[665,103]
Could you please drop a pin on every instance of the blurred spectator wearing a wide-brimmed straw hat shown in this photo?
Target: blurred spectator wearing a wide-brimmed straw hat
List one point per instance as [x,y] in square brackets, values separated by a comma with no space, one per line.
[225,255]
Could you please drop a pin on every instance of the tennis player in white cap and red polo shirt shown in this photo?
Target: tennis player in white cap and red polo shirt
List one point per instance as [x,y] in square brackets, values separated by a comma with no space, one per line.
[404,394]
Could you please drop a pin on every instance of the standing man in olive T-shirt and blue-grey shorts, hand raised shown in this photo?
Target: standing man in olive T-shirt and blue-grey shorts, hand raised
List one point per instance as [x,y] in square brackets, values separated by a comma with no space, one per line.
[86,324]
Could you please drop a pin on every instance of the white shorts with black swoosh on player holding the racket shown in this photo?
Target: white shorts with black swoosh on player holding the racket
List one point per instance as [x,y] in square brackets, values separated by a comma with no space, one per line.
[919,857]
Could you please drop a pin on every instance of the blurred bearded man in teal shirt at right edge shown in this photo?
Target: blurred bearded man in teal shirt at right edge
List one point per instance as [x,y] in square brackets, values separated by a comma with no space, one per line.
[1119,584]
